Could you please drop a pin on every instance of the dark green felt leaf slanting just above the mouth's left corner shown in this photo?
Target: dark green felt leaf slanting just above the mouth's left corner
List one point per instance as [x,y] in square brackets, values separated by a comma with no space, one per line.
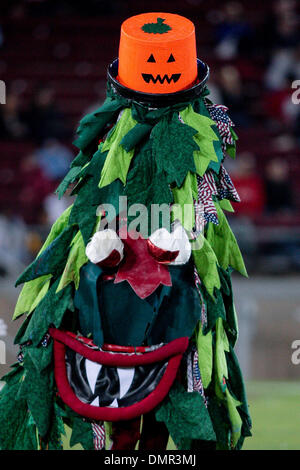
[49,311]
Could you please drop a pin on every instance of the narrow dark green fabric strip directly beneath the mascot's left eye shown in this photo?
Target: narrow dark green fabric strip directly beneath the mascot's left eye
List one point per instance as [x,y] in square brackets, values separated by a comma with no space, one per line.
[86,301]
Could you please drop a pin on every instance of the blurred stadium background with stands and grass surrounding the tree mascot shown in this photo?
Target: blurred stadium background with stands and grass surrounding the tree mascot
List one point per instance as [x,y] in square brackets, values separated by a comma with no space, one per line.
[53,60]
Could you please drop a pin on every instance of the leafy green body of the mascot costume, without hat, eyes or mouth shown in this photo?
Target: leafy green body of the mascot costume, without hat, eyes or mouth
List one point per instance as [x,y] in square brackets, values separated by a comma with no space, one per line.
[151,156]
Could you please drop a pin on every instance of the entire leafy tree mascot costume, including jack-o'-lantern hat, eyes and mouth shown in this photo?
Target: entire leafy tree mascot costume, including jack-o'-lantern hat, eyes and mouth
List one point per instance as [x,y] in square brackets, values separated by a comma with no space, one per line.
[130,323]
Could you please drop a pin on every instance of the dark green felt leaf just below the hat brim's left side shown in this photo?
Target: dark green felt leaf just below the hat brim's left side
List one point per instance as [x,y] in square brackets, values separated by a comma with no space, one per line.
[91,126]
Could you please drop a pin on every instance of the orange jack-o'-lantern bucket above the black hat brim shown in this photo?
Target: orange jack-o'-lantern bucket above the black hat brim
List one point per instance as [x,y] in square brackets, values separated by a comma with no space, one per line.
[157,53]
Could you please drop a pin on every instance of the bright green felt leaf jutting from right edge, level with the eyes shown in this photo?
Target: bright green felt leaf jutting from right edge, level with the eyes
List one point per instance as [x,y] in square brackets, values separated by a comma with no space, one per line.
[224,244]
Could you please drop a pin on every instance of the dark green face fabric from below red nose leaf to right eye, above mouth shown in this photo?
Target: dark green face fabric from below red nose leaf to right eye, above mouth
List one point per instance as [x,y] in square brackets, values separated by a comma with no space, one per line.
[128,320]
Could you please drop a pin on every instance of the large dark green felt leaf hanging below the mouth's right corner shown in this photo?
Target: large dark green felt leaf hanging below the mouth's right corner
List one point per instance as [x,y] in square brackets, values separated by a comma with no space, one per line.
[186,417]
